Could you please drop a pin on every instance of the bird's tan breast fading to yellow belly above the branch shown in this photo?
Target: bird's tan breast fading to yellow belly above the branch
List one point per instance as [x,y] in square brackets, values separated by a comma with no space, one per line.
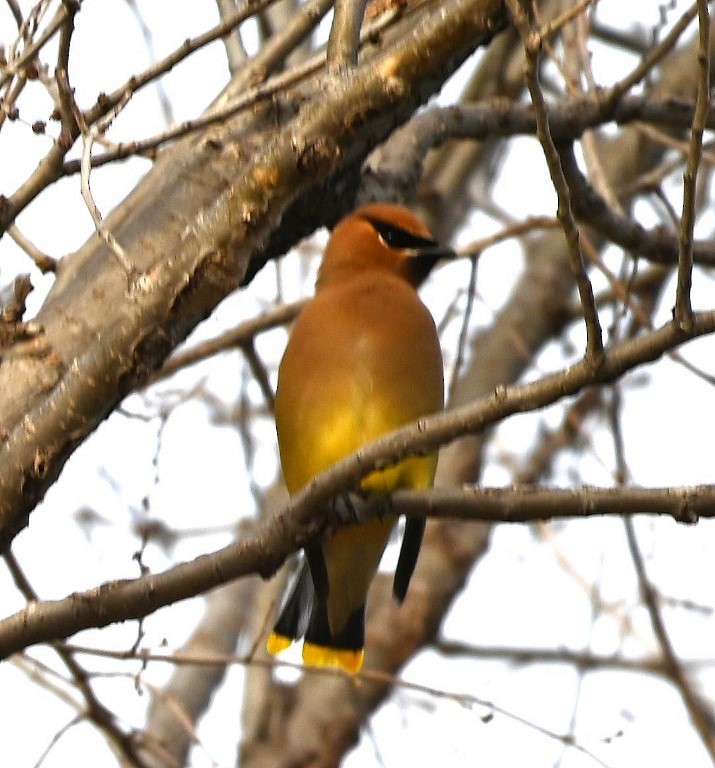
[361,362]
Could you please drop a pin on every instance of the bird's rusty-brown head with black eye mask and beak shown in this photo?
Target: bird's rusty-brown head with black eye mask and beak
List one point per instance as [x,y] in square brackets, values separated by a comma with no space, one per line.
[381,236]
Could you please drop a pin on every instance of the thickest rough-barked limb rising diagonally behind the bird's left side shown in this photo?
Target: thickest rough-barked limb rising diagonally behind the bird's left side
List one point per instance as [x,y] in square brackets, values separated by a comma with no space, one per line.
[224,197]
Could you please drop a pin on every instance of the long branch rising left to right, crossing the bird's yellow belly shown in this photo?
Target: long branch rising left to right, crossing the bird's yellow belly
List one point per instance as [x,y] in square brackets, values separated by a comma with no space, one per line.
[306,513]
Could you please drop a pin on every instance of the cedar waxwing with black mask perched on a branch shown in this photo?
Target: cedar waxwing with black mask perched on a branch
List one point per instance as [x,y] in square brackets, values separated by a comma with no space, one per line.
[363,359]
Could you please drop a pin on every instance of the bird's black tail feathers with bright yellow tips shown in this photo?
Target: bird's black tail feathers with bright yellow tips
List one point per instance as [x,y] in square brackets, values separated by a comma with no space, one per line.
[305,614]
